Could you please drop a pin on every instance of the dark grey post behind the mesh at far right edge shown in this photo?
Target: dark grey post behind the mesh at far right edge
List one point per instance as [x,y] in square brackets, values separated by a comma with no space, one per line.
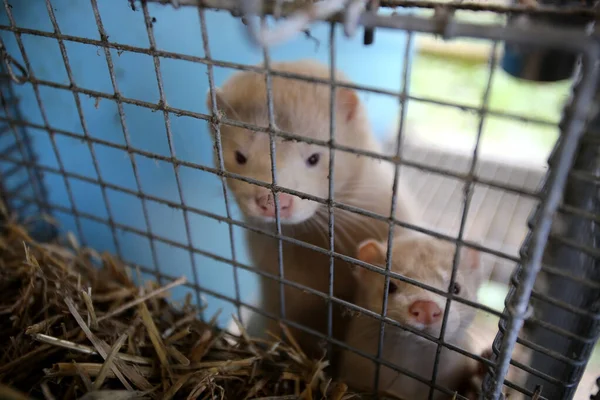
[581,192]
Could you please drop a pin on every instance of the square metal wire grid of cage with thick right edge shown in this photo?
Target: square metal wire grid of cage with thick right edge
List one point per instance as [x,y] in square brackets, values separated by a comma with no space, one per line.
[571,130]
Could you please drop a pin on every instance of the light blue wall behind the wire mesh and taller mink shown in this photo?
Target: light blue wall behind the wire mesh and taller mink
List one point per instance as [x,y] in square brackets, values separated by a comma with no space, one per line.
[176,30]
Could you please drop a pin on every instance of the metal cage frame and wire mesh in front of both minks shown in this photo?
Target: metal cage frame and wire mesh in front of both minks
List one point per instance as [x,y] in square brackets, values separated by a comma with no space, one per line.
[573,134]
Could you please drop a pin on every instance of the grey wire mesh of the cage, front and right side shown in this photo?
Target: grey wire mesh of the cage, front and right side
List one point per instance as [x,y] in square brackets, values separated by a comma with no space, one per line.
[19,158]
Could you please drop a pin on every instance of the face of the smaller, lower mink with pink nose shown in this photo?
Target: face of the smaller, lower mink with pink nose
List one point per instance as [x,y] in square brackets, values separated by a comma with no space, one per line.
[428,261]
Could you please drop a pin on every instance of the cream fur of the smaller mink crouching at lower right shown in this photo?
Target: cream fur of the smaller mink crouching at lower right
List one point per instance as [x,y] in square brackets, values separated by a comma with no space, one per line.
[429,261]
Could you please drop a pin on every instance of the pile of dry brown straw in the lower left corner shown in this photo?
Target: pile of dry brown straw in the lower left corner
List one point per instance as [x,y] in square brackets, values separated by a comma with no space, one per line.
[71,330]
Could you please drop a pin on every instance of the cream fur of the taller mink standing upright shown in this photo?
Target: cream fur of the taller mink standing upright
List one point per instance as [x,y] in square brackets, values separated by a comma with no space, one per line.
[303,108]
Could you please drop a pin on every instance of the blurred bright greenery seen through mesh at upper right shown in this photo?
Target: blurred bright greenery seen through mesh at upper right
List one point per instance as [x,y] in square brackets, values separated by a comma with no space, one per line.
[462,82]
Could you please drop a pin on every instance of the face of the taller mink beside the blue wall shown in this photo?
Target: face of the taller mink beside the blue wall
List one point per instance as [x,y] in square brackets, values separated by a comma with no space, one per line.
[303,109]
